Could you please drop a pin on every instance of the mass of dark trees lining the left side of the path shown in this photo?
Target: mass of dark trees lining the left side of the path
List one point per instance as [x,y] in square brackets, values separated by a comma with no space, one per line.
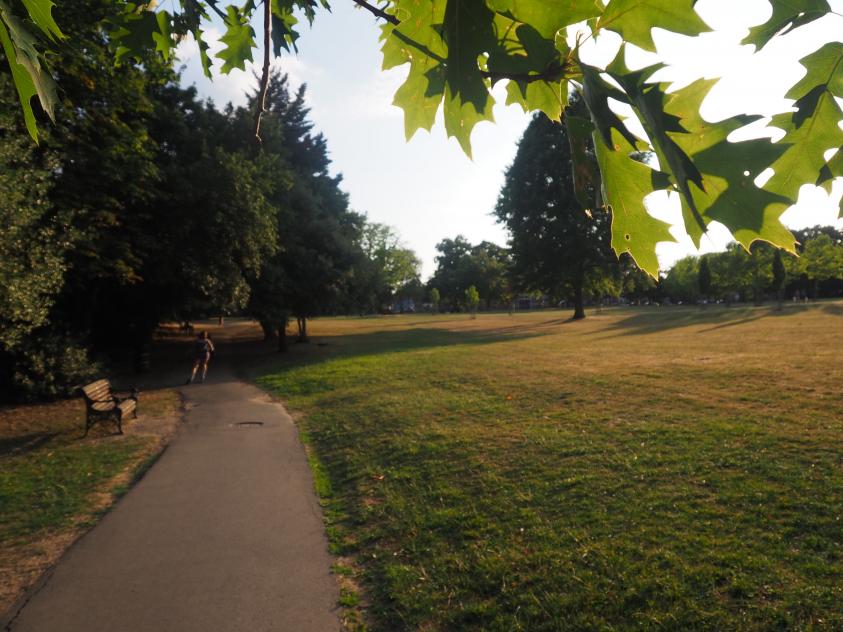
[143,203]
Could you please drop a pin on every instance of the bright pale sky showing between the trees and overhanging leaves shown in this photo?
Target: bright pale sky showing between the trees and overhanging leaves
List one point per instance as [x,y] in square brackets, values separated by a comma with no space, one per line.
[429,190]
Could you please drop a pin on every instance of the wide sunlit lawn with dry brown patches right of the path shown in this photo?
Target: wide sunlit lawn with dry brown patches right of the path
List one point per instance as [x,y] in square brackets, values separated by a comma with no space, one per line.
[670,468]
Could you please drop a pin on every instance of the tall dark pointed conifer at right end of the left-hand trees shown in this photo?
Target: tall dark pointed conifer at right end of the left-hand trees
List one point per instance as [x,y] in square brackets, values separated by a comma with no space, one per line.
[312,272]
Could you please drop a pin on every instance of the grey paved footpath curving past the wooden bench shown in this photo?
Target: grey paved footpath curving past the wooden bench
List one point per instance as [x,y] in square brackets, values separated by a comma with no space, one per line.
[223,533]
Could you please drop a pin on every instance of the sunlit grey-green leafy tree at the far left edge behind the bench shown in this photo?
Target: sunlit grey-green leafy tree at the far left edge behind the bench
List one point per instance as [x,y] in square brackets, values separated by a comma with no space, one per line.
[37,356]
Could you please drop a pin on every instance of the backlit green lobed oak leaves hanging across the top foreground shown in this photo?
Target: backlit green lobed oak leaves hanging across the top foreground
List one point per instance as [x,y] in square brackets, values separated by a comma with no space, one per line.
[457,50]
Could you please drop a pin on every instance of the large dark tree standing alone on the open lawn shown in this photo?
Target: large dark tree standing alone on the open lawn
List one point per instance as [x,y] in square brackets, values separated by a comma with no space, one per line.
[557,247]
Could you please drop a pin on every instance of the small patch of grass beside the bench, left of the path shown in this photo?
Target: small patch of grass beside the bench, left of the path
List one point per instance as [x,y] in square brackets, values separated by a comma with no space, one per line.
[54,483]
